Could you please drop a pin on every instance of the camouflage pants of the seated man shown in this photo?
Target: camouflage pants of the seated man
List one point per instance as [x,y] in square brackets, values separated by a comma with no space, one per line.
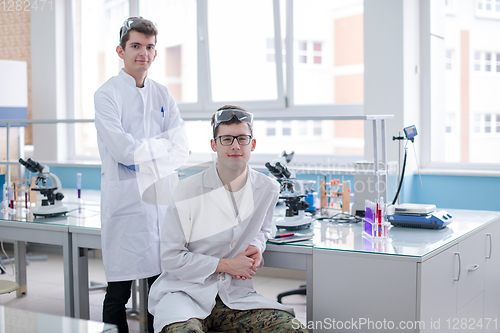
[225,319]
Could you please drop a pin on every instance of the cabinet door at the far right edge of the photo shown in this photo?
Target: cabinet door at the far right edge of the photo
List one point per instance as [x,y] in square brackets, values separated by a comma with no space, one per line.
[492,278]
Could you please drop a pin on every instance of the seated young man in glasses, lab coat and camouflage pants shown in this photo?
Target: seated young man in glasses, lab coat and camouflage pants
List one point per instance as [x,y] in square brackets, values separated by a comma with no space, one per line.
[212,242]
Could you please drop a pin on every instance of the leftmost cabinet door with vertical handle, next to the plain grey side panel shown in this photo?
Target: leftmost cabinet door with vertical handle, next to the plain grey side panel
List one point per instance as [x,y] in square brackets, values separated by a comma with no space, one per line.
[439,289]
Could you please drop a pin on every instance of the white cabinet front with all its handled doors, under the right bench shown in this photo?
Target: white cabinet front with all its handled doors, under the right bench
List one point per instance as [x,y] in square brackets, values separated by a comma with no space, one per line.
[461,285]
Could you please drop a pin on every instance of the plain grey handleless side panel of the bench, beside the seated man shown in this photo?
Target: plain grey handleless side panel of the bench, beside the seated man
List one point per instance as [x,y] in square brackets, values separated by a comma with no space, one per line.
[362,288]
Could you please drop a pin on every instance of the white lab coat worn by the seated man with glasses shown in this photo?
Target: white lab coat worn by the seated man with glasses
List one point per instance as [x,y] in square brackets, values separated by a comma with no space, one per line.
[200,229]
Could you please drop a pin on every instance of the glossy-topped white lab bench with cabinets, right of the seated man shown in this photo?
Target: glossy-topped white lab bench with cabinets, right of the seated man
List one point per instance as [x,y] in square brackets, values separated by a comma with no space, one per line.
[449,276]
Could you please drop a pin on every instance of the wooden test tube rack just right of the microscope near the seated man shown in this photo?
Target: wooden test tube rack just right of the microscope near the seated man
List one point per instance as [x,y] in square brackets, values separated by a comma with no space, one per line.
[335,196]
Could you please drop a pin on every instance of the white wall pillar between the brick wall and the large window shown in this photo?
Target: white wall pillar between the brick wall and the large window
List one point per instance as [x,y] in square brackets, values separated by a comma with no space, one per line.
[48,74]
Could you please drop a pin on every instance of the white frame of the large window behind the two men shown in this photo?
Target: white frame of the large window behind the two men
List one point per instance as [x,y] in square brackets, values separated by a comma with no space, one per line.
[283,108]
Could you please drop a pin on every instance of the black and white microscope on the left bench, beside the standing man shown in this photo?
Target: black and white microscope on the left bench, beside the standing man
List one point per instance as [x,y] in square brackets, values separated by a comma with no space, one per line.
[52,205]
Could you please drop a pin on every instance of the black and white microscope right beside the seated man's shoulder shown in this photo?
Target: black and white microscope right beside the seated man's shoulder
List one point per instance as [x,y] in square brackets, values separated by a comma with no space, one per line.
[290,189]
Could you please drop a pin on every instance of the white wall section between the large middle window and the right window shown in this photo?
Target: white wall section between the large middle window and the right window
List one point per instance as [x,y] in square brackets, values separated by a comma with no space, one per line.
[392,71]
